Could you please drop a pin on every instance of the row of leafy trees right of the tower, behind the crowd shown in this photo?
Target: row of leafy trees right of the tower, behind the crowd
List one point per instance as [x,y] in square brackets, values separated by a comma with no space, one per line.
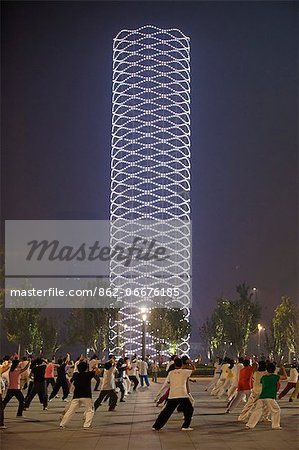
[234,321]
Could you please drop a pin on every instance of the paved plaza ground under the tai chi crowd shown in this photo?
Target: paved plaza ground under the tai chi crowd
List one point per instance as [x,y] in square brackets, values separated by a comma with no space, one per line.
[129,427]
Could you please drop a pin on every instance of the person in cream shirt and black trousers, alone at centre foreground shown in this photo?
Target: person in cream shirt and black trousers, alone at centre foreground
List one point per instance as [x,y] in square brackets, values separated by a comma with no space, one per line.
[177,380]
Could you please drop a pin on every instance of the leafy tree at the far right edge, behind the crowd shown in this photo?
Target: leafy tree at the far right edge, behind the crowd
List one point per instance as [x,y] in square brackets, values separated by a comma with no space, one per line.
[285,328]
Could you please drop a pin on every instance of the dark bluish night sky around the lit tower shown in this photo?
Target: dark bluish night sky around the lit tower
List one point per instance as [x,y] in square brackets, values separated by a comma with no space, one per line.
[56,104]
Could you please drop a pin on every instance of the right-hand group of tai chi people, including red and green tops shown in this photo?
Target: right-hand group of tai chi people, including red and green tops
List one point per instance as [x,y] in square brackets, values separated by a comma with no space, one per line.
[256,383]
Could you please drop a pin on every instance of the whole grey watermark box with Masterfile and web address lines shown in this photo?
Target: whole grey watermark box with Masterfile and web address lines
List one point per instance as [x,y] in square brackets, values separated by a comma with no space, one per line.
[52,263]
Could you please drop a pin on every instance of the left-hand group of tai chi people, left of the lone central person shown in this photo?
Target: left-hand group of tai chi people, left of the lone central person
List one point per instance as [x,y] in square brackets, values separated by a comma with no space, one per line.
[37,375]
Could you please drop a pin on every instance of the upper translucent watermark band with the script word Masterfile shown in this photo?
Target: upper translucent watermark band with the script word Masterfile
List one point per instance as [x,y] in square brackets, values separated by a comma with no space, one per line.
[93,248]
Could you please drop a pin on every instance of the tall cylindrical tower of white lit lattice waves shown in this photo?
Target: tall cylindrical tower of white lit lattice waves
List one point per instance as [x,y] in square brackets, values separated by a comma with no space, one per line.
[150,172]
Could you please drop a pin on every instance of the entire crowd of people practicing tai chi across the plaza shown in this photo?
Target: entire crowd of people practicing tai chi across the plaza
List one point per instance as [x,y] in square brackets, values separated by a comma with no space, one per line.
[249,385]
